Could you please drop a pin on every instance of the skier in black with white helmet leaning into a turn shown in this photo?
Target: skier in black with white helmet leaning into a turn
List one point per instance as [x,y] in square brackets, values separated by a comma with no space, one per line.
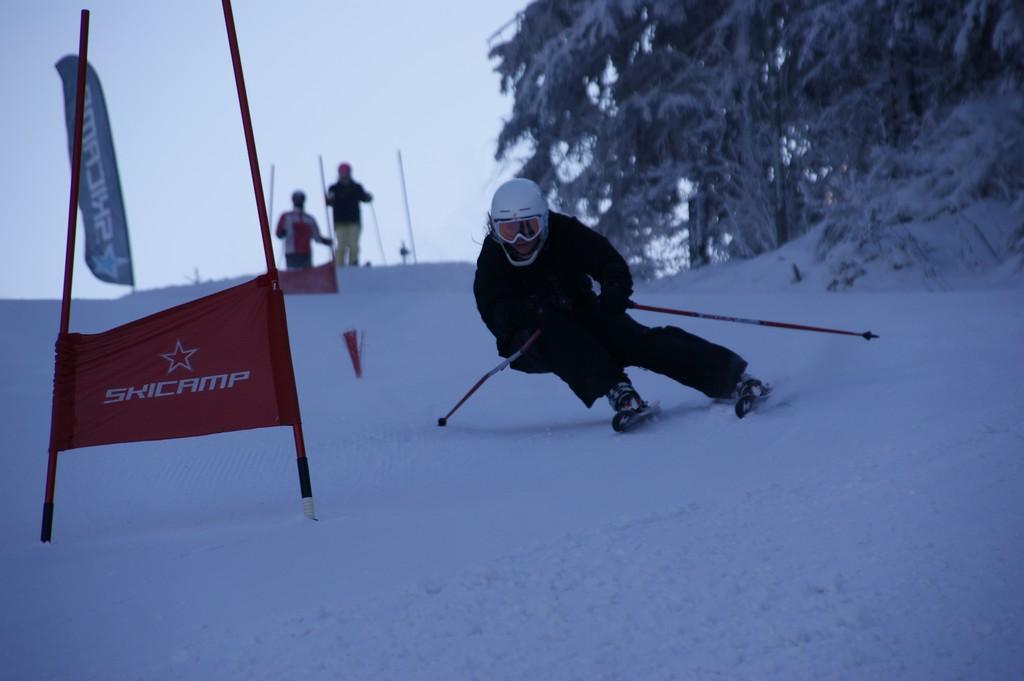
[536,271]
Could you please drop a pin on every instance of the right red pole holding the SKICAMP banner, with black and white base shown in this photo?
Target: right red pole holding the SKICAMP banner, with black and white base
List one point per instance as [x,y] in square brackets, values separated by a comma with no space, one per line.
[240,84]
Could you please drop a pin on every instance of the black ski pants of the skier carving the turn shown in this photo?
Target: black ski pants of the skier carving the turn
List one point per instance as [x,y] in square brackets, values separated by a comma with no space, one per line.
[590,351]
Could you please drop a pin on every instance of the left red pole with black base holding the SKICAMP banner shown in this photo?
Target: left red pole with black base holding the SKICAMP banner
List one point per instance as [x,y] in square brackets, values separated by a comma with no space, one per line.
[76,163]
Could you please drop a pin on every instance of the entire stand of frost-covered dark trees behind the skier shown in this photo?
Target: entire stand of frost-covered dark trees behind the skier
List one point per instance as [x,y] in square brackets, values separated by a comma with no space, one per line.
[690,133]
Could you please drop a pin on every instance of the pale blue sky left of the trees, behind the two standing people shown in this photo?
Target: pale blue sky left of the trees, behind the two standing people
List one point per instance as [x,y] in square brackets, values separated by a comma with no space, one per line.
[350,81]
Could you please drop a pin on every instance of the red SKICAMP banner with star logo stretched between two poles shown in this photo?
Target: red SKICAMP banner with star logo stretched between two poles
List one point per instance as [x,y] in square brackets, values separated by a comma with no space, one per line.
[214,365]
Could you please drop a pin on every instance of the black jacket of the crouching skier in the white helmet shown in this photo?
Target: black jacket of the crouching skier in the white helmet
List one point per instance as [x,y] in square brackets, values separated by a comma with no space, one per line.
[510,300]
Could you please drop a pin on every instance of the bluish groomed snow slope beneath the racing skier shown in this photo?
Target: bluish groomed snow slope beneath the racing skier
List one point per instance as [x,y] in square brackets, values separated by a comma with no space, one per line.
[866,527]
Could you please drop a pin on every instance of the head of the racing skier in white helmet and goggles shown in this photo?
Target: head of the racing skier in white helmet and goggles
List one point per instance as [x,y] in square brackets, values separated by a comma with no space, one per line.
[519,221]
